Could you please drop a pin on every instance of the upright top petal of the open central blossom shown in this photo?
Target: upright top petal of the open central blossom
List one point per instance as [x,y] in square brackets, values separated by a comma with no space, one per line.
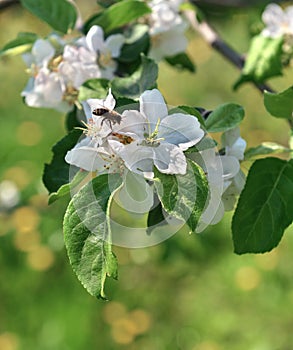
[153,106]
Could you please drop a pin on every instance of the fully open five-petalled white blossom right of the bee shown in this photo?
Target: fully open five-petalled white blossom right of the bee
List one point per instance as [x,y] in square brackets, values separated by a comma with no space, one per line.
[155,138]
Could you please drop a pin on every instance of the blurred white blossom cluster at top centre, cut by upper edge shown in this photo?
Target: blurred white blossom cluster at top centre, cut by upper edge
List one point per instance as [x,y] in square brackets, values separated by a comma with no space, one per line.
[166,29]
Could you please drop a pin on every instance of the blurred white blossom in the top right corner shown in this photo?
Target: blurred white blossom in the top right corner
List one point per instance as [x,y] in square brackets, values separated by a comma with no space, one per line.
[278,21]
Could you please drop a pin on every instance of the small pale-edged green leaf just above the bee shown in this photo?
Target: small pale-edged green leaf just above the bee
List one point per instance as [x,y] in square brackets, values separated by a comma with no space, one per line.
[93,88]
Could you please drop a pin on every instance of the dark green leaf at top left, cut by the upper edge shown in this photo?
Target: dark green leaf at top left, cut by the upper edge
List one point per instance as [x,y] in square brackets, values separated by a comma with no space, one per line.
[59,14]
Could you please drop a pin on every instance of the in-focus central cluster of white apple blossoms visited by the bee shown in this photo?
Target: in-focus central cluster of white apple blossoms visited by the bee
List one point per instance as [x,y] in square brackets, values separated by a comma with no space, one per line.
[137,141]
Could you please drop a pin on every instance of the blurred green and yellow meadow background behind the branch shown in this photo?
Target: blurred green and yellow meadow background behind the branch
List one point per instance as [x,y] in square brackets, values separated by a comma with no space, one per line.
[190,292]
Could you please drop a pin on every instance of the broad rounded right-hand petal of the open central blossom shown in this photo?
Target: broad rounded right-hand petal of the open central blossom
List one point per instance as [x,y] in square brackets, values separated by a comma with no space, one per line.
[181,129]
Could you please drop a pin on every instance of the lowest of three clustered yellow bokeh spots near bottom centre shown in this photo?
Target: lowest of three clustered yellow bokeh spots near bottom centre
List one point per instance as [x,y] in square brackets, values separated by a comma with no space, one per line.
[123,331]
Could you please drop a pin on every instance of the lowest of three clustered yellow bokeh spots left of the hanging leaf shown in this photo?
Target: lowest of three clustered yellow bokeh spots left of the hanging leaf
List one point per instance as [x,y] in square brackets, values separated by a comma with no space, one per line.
[41,258]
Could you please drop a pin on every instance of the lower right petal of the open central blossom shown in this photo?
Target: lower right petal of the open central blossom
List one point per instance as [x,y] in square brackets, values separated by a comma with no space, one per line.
[169,159]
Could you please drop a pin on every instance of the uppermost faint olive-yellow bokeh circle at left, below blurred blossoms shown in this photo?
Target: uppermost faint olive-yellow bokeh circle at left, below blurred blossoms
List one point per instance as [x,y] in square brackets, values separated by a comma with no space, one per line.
[29,133]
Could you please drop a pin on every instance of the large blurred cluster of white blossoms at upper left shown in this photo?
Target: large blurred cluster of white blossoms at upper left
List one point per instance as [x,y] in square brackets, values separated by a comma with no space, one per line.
[58,67]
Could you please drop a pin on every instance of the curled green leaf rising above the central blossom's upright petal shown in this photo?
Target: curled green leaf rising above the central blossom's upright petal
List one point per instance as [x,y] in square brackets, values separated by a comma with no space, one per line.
[143,79]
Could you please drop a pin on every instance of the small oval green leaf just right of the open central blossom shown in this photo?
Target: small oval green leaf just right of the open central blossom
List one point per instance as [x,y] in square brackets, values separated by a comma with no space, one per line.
[225,117]
